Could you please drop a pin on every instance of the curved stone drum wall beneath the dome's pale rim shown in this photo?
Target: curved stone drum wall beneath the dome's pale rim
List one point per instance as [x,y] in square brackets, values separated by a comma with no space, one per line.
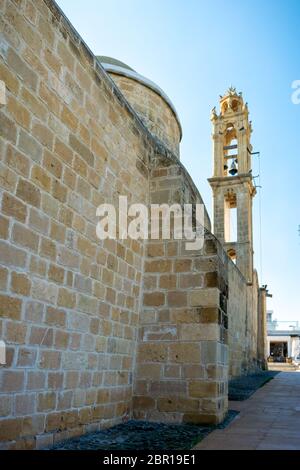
[153,110]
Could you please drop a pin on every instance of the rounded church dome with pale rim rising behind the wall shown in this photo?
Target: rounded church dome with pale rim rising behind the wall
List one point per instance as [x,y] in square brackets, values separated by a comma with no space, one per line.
[150,102]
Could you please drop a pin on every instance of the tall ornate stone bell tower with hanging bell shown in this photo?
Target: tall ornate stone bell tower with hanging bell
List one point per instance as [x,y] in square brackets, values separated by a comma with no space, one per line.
[232,182]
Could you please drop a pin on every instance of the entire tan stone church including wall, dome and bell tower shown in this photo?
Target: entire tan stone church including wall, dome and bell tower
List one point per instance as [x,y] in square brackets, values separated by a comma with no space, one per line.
[98,331]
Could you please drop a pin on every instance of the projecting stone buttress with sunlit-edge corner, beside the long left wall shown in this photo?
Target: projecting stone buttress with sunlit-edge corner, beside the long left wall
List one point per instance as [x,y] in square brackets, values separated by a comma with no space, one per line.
[181,370]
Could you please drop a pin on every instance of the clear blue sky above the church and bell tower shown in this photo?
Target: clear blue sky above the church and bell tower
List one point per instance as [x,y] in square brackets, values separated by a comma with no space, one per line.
[194,50]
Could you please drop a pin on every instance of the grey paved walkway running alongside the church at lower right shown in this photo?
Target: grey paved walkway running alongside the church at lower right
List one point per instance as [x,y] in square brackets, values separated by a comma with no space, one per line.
[269,419]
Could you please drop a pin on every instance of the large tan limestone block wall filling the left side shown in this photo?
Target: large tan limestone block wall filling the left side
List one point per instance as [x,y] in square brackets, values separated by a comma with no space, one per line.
[69,304]
